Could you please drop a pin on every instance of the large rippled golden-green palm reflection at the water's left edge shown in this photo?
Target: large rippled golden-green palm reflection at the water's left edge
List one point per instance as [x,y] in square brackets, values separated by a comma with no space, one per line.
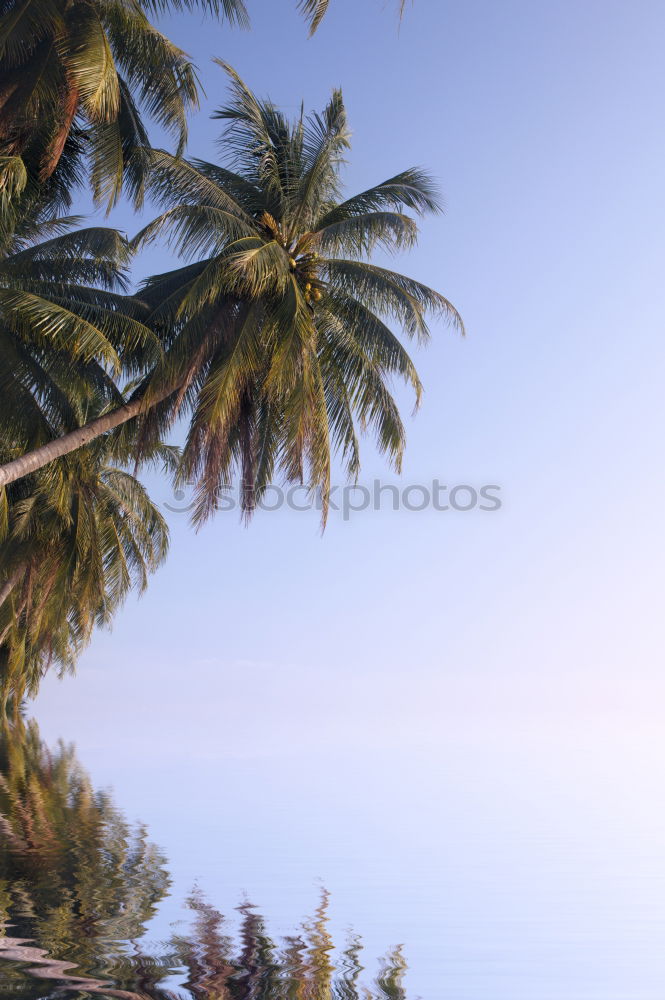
[73,873]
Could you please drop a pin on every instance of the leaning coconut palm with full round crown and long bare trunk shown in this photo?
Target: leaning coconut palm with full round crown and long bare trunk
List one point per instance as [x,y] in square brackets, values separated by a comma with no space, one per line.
[275,332]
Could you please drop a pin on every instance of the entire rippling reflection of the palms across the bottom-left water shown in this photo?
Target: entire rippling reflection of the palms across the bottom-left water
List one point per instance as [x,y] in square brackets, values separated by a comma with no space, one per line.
[78,885]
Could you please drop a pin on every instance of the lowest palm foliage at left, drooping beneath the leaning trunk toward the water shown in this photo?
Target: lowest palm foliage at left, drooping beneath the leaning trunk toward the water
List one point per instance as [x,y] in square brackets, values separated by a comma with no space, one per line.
[77,538]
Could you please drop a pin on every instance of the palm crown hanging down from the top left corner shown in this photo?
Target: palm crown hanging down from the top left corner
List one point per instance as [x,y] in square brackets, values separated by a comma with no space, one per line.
[75,77]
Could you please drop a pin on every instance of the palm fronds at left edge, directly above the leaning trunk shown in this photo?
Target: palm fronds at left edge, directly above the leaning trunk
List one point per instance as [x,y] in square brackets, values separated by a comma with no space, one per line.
[66,328]
